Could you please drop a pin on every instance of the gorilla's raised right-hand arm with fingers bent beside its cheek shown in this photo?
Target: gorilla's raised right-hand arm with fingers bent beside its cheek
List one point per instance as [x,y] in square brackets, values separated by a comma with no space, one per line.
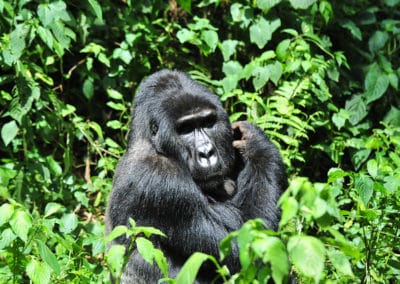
[263,178]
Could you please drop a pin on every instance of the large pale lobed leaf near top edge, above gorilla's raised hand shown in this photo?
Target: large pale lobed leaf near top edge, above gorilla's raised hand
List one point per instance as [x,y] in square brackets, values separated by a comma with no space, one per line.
[261,31]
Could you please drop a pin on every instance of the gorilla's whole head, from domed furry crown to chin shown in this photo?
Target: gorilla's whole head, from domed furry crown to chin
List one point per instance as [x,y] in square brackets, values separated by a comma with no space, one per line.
[185,122]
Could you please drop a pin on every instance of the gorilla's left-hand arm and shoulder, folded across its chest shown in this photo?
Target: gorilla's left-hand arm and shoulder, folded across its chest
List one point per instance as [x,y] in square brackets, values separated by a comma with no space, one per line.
[154,191]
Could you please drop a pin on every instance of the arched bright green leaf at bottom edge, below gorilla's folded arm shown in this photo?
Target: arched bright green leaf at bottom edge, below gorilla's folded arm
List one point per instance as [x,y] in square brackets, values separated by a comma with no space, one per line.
[191,267]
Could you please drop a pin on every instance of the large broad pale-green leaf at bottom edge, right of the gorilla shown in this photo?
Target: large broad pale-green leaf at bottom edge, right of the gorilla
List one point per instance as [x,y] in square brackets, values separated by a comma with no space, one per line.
[308,255]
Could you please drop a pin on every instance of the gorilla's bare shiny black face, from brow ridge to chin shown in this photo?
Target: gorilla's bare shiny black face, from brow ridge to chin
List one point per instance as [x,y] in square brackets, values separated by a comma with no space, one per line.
[207,146]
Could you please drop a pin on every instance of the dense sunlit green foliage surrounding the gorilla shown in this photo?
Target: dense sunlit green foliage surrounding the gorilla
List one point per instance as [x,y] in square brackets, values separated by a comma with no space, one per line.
[320,77]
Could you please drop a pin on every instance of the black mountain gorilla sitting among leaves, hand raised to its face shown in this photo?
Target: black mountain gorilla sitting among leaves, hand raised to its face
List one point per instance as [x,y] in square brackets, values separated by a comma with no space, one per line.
[188,172]
